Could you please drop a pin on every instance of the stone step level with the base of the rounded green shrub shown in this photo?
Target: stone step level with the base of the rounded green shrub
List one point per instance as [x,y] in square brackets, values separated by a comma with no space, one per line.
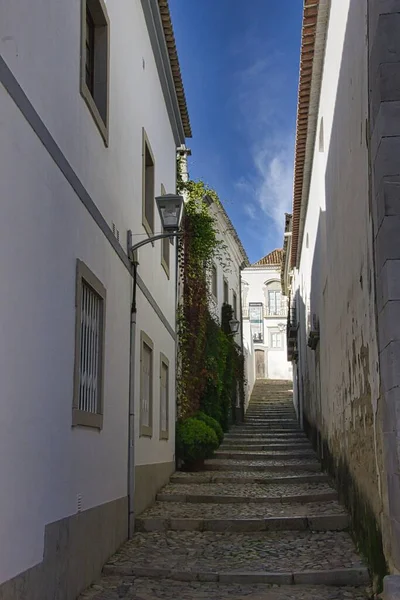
[216,464]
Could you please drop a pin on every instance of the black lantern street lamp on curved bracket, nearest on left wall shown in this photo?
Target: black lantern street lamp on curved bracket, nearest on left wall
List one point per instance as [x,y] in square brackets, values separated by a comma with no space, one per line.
[170,208]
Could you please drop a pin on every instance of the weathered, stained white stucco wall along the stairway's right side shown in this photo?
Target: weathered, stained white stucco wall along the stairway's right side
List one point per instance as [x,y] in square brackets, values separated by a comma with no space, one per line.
[339,382]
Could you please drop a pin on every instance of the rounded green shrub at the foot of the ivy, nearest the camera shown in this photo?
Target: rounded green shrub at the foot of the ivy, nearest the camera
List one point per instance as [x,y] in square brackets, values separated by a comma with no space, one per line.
[195,440]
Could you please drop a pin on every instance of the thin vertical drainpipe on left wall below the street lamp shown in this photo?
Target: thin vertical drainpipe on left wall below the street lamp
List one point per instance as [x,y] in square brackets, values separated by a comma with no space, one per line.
[131,419]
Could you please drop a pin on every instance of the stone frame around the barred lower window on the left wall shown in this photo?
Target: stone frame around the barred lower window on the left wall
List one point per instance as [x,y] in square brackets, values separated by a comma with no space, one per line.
[80,417]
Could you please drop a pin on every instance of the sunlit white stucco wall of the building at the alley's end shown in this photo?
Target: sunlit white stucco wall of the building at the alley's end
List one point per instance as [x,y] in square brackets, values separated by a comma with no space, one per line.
[254,280]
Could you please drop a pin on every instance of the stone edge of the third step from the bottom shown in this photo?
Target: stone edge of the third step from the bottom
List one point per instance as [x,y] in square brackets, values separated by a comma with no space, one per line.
[225,499]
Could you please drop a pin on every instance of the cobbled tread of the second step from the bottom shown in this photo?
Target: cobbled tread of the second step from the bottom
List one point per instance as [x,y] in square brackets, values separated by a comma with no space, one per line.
[188,510]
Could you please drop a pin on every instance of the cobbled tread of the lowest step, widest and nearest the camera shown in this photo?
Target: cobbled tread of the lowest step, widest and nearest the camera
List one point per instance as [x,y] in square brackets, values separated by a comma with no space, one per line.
[216,553]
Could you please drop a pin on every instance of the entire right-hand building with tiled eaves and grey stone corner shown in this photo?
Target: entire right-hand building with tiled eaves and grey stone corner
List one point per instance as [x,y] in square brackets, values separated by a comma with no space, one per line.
[342,260]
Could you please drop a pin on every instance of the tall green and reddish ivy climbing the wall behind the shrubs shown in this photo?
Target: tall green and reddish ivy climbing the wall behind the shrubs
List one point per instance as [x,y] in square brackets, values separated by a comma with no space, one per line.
[210,364]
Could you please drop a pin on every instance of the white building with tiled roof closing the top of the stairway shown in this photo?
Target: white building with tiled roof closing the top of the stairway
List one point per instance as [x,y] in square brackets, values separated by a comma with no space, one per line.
[264,319]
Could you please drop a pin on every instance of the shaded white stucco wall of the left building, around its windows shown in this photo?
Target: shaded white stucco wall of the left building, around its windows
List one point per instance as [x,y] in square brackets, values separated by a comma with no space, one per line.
[44,228]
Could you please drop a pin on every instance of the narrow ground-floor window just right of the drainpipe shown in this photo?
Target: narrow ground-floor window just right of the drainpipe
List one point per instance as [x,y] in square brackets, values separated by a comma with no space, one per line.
[146,385]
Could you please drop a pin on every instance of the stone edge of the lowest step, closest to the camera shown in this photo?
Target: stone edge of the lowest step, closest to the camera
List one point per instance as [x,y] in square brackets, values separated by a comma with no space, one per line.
[350,576]
